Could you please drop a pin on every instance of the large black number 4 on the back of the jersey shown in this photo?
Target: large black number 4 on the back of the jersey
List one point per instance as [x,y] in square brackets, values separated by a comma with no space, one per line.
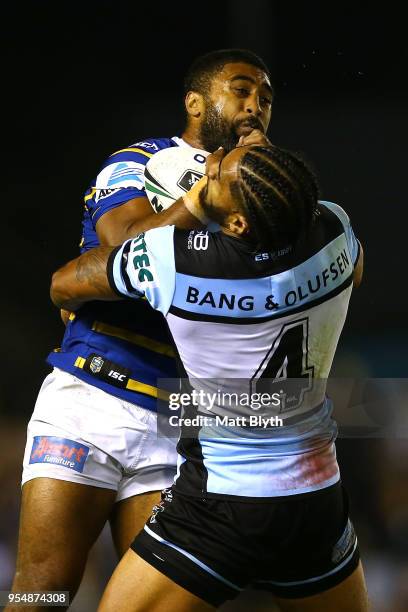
[285,368]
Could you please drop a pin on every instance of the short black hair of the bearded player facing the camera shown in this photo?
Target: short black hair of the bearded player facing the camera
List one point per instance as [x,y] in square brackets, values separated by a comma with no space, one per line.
[203,69]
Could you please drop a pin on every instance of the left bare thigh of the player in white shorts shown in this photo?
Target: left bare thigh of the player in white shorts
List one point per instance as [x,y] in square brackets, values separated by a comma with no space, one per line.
[59,522]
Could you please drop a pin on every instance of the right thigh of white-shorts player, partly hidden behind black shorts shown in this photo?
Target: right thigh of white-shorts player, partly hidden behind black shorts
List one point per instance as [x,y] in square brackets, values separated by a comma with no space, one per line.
[129,516]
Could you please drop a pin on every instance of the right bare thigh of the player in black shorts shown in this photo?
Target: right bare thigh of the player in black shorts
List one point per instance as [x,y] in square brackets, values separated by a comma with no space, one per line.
[348,596]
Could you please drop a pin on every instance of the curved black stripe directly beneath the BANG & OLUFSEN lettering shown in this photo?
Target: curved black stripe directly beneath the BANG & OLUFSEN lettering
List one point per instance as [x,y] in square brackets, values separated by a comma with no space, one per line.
[195,316]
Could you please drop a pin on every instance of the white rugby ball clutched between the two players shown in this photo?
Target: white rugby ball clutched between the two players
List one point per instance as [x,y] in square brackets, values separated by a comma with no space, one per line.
[170,173]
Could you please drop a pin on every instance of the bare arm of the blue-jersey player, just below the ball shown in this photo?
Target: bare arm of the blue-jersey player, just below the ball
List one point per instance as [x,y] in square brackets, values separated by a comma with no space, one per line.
[124,221]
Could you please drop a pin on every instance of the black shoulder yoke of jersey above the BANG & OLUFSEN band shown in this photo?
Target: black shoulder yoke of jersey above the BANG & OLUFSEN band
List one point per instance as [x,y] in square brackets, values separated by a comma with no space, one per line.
[234,258]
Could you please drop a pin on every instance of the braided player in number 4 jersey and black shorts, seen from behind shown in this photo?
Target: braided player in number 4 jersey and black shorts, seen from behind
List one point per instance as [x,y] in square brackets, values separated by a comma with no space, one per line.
[266,299]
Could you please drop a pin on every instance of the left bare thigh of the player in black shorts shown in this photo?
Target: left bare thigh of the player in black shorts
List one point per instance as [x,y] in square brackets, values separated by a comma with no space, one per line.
[136,586]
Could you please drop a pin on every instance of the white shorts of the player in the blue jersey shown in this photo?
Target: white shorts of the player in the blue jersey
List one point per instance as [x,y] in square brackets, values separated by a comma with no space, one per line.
[81,434]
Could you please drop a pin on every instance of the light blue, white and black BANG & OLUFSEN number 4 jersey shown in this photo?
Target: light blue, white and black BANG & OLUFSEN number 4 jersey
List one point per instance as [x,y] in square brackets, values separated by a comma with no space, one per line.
[236,314]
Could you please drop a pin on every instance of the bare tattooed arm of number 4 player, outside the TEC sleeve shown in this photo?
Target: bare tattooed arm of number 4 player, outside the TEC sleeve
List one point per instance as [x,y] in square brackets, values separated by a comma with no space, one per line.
[82,280]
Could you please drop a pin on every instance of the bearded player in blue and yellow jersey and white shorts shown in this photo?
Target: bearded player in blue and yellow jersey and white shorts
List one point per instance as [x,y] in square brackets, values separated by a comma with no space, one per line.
[92,454]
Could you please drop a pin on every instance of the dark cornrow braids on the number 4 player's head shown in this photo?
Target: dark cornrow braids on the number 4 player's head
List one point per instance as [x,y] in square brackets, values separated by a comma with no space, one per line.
[280,194]
